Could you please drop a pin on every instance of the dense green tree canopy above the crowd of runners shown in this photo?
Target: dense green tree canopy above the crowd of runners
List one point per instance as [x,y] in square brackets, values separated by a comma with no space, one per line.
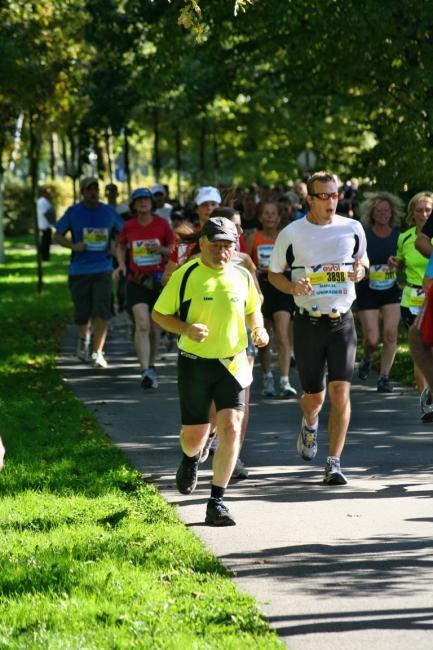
[229,91]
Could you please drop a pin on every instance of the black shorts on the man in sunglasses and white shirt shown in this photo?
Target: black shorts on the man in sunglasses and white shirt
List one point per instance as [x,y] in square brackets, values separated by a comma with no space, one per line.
[324,345]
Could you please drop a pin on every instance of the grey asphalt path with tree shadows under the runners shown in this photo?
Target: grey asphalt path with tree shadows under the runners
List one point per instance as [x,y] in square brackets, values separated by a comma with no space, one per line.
[344,567]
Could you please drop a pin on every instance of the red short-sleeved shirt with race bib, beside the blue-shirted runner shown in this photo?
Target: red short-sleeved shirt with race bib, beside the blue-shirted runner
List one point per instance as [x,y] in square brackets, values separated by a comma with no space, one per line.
[138,238]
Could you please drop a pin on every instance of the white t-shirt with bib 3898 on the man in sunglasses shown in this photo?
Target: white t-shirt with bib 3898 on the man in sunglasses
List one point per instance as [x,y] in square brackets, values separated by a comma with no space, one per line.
[324,254]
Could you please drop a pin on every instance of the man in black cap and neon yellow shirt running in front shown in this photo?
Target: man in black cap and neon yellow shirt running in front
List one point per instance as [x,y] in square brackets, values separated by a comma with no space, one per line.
[208,302]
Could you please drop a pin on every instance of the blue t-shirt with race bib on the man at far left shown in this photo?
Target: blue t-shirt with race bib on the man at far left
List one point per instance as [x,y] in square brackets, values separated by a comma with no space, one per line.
[94,226]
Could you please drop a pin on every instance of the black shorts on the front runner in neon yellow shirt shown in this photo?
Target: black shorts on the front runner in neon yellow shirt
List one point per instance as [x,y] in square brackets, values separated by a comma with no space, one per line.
[201,381]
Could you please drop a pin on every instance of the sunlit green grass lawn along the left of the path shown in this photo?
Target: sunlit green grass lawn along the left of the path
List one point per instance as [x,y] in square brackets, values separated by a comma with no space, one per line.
[90,555]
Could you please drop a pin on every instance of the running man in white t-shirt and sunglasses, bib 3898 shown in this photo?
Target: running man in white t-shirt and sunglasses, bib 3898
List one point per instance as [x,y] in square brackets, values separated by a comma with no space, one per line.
[327,255]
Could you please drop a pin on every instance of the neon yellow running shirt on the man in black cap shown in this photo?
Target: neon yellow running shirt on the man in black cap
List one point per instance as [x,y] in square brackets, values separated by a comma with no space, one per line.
[218,298]
